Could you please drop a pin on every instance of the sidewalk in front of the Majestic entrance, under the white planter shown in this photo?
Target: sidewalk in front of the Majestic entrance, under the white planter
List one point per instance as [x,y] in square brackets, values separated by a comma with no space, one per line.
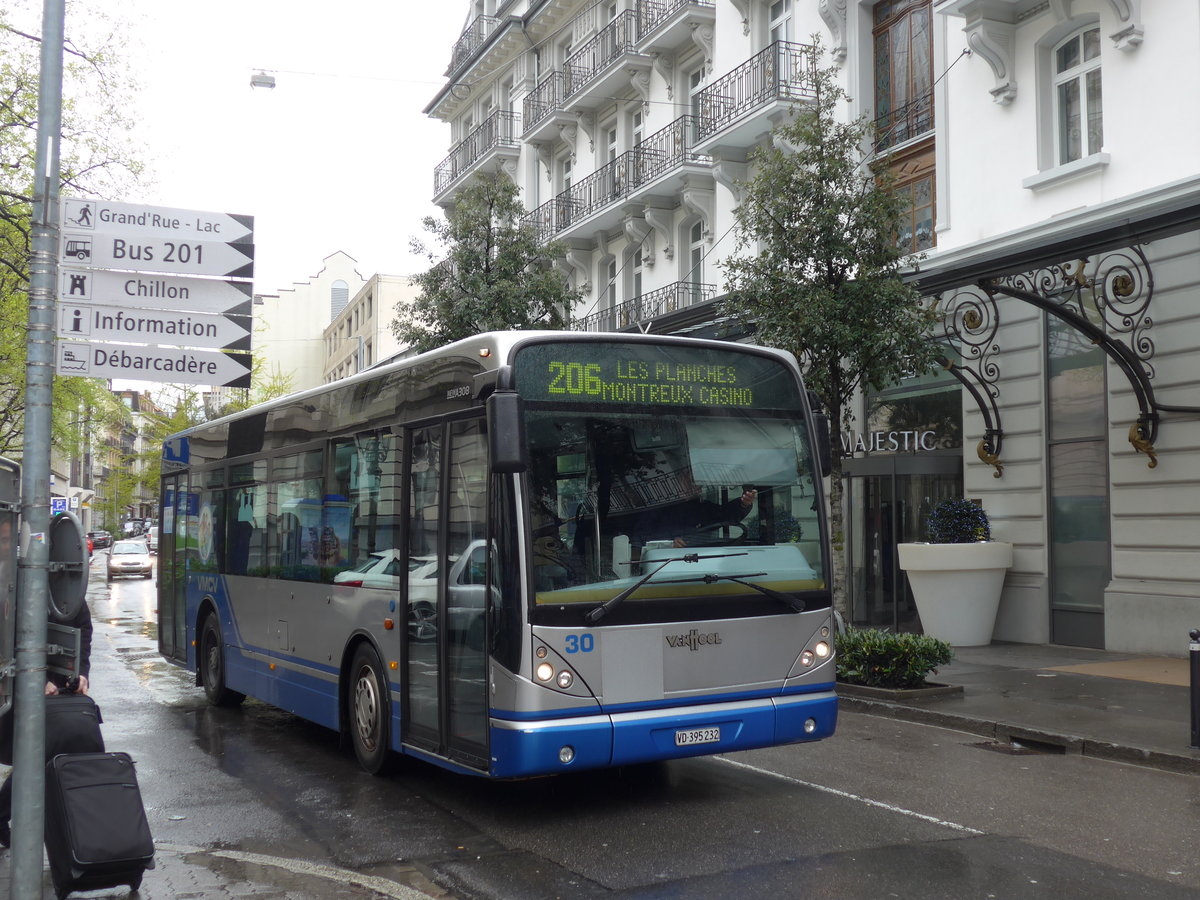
[1117,706]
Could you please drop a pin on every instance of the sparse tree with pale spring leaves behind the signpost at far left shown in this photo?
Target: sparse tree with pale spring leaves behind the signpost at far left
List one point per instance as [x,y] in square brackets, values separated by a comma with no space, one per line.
[97,159]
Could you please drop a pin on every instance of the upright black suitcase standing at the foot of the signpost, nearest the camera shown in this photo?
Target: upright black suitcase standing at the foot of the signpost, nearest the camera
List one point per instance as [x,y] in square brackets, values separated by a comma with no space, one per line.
[97,830]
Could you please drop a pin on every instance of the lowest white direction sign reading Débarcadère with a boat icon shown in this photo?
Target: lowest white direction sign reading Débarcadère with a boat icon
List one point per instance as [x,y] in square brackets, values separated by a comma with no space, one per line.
[153,364]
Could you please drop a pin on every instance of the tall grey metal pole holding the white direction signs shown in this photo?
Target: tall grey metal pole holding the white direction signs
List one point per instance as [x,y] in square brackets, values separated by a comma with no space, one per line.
[29,745]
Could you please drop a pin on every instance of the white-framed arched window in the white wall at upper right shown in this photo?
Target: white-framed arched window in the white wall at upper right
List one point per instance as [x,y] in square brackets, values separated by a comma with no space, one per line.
[1079,127]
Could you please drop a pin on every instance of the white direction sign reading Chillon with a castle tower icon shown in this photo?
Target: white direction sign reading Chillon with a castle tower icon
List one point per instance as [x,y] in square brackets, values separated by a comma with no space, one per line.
[157,292]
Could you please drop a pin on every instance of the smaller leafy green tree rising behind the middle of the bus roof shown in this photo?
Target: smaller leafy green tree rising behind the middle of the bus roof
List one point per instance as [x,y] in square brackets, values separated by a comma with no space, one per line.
[489,273]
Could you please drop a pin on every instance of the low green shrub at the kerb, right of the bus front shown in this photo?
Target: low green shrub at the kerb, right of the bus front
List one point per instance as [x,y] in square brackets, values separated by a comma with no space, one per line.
[883,659]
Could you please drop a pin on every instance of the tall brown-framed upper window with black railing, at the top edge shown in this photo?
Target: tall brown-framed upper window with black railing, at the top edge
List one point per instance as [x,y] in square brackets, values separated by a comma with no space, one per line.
[904,71]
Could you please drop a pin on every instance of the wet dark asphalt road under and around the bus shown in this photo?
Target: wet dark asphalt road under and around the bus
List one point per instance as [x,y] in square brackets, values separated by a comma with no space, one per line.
[885,809]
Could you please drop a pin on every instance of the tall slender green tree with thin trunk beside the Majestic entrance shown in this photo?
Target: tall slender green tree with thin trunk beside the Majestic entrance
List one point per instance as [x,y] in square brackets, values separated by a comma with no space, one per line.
[819,269]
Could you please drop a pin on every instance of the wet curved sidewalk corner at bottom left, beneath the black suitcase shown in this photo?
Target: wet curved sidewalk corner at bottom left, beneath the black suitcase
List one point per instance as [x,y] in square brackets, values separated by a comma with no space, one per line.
[195,874]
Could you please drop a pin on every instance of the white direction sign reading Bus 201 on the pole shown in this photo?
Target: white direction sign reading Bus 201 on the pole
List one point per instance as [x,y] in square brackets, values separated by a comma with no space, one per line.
[187,256]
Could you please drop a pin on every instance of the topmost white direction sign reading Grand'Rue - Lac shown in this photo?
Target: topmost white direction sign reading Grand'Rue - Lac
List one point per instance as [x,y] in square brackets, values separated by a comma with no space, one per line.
[140,220]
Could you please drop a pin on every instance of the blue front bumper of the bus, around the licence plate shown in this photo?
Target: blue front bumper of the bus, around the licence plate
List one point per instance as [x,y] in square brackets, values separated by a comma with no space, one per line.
[599,742]
